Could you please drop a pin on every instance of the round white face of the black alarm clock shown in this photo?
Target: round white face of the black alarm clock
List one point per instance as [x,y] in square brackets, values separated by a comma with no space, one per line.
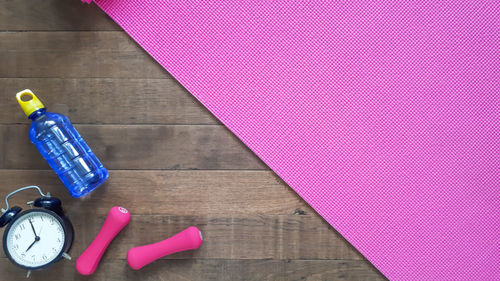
[35,239]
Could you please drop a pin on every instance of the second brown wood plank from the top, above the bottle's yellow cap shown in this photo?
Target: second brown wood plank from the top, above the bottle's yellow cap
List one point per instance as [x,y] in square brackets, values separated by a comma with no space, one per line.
[75,54]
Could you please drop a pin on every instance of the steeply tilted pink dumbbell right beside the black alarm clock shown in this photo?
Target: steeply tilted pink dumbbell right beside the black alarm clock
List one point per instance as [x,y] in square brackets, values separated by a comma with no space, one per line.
[116,220]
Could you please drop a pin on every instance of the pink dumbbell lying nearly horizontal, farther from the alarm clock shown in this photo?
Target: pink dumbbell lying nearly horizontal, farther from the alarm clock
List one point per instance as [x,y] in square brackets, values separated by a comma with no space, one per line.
[188,239]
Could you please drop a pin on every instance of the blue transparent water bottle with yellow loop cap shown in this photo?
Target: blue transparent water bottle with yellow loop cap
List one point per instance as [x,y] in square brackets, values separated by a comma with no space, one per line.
[62,147]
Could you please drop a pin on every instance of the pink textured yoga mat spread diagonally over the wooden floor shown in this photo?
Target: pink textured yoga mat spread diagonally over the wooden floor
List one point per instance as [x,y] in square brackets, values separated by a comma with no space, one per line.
[383,115]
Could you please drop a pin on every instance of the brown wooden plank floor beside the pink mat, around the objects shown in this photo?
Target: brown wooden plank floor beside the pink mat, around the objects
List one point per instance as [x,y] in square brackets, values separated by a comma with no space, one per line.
[172,164]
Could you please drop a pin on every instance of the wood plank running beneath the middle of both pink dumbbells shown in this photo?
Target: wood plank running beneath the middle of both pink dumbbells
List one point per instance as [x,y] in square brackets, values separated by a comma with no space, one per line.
[231,237]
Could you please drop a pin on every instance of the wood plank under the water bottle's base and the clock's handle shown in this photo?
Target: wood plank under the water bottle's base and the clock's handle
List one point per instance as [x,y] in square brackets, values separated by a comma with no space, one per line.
[174,193]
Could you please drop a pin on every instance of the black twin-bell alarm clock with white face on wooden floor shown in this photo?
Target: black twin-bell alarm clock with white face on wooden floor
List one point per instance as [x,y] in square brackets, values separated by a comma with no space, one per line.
[38,237]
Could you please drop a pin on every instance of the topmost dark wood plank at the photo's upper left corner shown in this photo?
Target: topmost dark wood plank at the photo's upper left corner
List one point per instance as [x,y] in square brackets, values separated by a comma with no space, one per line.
[53,15]
